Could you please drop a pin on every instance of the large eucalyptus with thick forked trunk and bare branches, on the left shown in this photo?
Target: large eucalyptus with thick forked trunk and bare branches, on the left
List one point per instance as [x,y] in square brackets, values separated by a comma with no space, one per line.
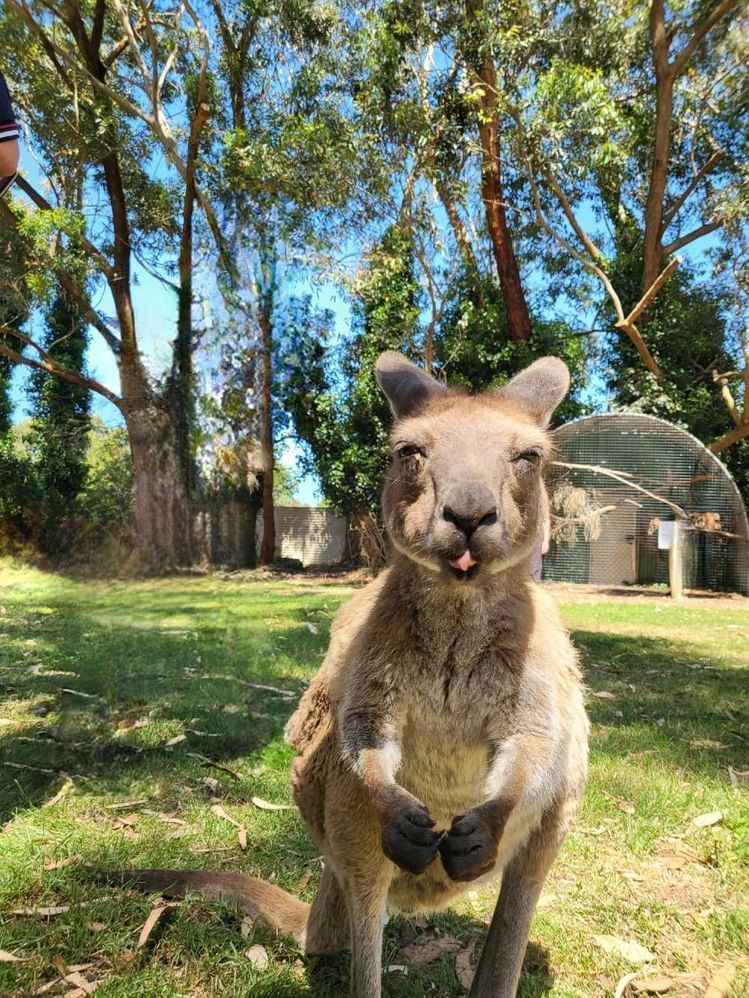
[115,93]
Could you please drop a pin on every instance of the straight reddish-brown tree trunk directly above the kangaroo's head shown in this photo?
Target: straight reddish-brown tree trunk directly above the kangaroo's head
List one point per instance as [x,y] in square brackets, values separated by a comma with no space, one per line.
[516,308]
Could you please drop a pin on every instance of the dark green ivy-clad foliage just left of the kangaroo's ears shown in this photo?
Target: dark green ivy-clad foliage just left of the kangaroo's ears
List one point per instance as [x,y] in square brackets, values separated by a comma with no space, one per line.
[346,425]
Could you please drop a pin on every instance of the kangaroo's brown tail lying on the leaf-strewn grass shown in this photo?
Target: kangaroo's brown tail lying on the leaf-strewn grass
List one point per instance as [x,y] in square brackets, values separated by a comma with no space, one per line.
[276,908]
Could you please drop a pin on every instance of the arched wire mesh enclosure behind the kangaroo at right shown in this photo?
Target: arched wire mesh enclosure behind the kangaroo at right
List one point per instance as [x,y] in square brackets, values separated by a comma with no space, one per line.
[640,470]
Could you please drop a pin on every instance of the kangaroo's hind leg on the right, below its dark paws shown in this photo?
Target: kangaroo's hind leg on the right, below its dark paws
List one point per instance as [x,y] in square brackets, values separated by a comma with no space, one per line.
[498,971]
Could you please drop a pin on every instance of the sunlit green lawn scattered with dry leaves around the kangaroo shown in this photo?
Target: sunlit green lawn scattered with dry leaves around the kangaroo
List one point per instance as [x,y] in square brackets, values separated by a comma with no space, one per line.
[118,699]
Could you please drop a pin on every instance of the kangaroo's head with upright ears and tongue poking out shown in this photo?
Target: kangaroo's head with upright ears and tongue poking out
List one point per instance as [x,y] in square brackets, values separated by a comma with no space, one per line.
[465,494]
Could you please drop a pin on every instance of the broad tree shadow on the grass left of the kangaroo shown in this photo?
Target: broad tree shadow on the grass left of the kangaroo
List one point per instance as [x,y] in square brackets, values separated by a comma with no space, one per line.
[112,674]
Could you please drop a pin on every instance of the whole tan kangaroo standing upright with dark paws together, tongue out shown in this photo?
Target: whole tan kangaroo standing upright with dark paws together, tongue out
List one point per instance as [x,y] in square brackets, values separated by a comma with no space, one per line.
[444,739]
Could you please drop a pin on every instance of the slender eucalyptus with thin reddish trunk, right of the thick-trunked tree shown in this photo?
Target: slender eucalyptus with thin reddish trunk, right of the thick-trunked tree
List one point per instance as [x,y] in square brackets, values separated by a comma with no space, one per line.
[291,177]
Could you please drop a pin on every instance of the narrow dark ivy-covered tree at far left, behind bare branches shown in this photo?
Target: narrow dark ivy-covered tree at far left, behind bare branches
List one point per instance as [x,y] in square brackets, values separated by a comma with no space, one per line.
[59,437]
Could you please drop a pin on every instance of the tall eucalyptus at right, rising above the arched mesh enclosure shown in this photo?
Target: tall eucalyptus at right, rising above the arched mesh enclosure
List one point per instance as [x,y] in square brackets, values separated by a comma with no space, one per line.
[627,126]
